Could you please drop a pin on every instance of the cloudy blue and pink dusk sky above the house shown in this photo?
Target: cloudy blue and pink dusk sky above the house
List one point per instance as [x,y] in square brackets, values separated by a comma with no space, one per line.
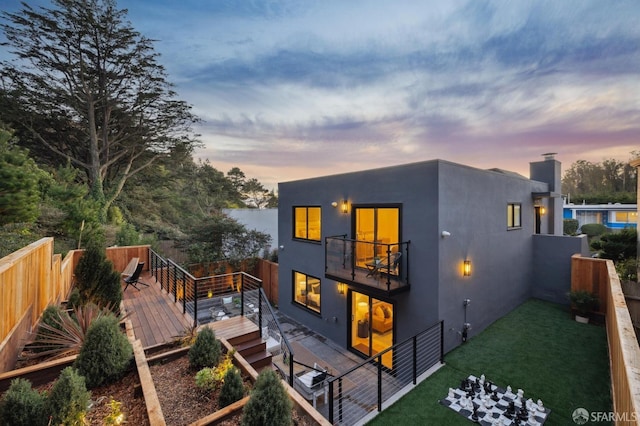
[290,89]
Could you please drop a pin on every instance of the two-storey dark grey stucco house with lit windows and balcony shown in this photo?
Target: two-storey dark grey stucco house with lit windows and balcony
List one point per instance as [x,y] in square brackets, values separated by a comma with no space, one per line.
[371,258]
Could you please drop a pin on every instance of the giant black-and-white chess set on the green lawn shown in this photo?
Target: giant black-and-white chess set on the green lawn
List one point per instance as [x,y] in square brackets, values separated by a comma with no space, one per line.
[483,402]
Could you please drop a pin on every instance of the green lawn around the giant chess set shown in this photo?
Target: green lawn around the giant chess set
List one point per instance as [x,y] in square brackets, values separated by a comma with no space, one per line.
[538,348]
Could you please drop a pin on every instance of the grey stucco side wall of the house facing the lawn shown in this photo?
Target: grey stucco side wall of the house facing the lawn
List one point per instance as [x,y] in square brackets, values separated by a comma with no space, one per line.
[473,208]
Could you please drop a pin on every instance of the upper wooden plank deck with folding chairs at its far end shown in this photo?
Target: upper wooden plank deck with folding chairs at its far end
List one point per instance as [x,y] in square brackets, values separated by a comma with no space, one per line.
[155,317]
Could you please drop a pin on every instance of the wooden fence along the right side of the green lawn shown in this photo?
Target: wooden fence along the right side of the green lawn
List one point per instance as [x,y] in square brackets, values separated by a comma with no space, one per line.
[599,276]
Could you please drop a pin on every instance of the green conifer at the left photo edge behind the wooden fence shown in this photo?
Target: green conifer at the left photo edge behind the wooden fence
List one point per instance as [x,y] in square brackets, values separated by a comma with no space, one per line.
[20,179]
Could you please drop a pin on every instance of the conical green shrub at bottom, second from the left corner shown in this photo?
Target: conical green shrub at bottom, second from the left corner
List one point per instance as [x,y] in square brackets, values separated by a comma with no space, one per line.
[69,398]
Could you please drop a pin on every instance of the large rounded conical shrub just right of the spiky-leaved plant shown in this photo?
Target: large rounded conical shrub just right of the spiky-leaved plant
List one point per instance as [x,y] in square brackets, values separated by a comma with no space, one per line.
[105,354]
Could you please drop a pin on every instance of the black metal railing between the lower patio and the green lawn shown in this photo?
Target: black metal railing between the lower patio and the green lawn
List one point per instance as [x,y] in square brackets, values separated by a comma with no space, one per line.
[353,395]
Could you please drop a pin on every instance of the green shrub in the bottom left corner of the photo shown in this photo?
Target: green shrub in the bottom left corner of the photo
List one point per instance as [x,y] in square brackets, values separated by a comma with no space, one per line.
[22,405]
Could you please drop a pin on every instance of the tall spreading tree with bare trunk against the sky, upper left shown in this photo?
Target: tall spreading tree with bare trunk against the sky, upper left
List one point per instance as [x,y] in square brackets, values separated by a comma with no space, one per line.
[87,87]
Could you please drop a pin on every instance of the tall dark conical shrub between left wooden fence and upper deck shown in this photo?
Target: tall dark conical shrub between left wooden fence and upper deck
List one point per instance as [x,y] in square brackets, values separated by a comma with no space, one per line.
[97,280]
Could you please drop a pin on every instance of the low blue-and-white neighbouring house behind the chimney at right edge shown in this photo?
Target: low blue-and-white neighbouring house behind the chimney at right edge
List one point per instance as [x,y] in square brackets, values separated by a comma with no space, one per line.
[613,216]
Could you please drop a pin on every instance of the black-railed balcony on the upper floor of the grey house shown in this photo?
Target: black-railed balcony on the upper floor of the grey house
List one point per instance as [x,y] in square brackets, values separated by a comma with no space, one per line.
[369,265]
